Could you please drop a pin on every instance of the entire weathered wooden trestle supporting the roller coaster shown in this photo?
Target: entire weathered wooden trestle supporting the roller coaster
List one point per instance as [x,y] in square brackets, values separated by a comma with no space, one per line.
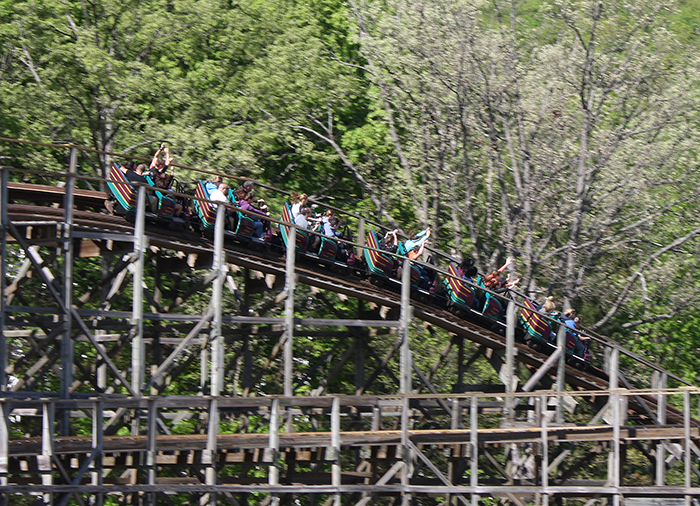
[88,416]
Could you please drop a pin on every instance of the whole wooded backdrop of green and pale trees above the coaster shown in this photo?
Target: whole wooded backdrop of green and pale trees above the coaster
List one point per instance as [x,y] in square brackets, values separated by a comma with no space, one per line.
[563,133]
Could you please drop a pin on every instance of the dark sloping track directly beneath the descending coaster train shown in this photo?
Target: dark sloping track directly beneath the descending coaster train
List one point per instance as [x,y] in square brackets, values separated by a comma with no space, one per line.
[271,260]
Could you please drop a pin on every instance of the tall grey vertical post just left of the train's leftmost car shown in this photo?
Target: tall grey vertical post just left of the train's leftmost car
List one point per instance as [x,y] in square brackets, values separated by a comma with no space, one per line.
[68,253]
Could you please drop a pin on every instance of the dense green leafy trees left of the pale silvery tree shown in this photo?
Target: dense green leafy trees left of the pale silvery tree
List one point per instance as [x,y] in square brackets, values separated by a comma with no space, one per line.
[234,87]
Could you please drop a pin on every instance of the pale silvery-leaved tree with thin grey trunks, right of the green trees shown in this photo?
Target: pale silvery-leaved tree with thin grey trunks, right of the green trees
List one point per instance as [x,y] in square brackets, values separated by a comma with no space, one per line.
[565,137]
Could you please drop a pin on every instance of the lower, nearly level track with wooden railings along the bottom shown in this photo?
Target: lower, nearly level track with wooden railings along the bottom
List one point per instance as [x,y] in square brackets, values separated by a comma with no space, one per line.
[311,459]
